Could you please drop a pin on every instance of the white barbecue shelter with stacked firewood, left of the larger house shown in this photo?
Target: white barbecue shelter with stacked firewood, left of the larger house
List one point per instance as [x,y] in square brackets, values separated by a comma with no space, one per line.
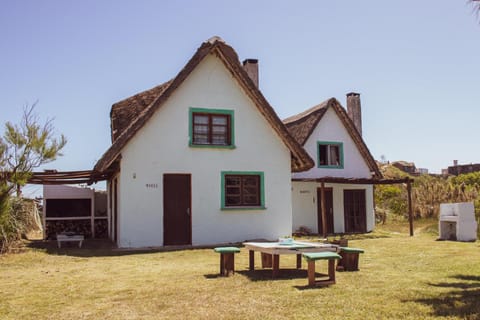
[72,209]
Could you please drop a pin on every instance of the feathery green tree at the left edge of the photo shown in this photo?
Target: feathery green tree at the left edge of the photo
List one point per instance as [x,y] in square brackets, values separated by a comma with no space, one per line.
[23,147]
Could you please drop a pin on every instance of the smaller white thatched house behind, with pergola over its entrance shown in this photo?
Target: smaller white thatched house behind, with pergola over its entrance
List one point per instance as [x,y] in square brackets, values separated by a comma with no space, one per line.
[344,170]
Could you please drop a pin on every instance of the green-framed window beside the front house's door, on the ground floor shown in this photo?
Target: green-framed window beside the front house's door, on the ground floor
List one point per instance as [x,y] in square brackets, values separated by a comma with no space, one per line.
[242,190]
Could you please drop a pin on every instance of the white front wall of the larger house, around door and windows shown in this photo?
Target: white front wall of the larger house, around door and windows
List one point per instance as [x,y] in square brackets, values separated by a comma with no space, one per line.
[161,147]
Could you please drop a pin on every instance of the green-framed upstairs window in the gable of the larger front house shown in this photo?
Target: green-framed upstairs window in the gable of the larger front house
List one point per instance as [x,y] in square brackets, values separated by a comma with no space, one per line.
[211,127]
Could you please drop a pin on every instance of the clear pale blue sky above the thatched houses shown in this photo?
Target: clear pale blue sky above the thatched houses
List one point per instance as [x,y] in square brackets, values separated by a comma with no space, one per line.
[415,63]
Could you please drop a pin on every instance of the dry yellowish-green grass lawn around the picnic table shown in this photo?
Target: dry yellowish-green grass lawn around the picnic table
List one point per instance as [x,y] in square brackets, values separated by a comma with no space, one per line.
[400,277]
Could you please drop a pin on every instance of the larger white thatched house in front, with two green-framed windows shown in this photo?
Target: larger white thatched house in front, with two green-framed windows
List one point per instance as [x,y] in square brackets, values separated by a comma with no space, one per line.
[200,159]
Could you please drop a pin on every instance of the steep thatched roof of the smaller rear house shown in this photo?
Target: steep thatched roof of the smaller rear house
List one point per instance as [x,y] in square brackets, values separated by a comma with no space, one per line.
[301,126]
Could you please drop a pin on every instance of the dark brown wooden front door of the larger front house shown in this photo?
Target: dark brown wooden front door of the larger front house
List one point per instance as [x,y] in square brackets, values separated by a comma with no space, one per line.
[177,215]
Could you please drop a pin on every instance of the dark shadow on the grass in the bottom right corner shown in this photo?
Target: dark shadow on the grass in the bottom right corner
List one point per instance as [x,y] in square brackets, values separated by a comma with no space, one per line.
[462,301]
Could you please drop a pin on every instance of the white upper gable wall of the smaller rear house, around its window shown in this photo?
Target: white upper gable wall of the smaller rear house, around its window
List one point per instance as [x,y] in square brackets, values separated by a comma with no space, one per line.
[331,128]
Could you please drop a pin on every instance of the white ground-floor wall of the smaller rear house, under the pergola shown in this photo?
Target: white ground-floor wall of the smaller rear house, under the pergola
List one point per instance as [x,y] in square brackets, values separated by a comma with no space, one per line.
[305,212]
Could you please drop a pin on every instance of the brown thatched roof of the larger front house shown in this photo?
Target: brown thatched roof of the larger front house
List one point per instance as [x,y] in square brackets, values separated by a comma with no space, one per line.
[142,111]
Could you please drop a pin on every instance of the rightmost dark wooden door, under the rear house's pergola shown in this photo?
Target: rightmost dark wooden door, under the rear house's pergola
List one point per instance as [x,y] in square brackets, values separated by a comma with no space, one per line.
[355,211]
